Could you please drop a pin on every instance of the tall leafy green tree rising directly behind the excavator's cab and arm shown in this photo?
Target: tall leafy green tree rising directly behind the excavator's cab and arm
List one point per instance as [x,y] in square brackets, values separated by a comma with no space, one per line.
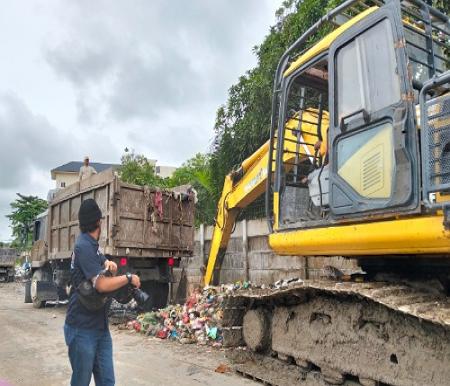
[243,122]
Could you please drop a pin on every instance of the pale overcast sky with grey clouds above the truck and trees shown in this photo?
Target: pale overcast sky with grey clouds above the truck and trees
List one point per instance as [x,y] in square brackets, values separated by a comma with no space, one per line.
[93,77]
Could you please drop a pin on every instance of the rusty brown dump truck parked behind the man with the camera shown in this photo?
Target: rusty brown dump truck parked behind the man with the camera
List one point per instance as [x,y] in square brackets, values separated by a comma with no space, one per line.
[144,230]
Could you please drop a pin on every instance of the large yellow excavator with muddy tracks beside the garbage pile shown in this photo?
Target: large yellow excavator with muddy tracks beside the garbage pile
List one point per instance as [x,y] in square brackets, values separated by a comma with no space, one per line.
[357,165]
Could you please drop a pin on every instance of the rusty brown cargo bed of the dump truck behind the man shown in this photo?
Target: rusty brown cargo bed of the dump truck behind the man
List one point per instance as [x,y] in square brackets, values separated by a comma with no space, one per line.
[137,221]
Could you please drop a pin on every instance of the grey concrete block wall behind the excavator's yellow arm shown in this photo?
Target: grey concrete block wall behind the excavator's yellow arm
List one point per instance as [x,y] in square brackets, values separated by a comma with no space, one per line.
[249,257]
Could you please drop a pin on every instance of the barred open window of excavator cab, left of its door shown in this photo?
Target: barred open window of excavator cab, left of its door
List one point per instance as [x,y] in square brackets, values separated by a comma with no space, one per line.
[304,145]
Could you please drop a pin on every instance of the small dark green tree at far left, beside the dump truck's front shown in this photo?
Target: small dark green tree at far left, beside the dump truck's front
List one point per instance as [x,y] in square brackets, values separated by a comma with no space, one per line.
[24,211]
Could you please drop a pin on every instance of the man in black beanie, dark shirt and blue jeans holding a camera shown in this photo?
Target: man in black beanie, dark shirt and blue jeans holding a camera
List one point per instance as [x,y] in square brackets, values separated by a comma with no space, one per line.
[86,332]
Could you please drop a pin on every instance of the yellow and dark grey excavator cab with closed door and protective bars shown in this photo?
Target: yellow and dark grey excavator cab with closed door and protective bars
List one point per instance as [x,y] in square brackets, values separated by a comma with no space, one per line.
[361,83]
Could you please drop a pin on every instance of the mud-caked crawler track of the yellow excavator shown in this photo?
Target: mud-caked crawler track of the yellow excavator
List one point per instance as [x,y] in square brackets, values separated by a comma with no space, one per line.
[348,333]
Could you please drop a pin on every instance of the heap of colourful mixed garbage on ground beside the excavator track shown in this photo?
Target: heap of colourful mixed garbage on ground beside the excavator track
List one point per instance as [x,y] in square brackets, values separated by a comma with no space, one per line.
[197,321]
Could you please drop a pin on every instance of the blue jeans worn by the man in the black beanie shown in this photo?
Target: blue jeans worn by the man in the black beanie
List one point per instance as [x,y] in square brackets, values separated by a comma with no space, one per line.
[90,352]
